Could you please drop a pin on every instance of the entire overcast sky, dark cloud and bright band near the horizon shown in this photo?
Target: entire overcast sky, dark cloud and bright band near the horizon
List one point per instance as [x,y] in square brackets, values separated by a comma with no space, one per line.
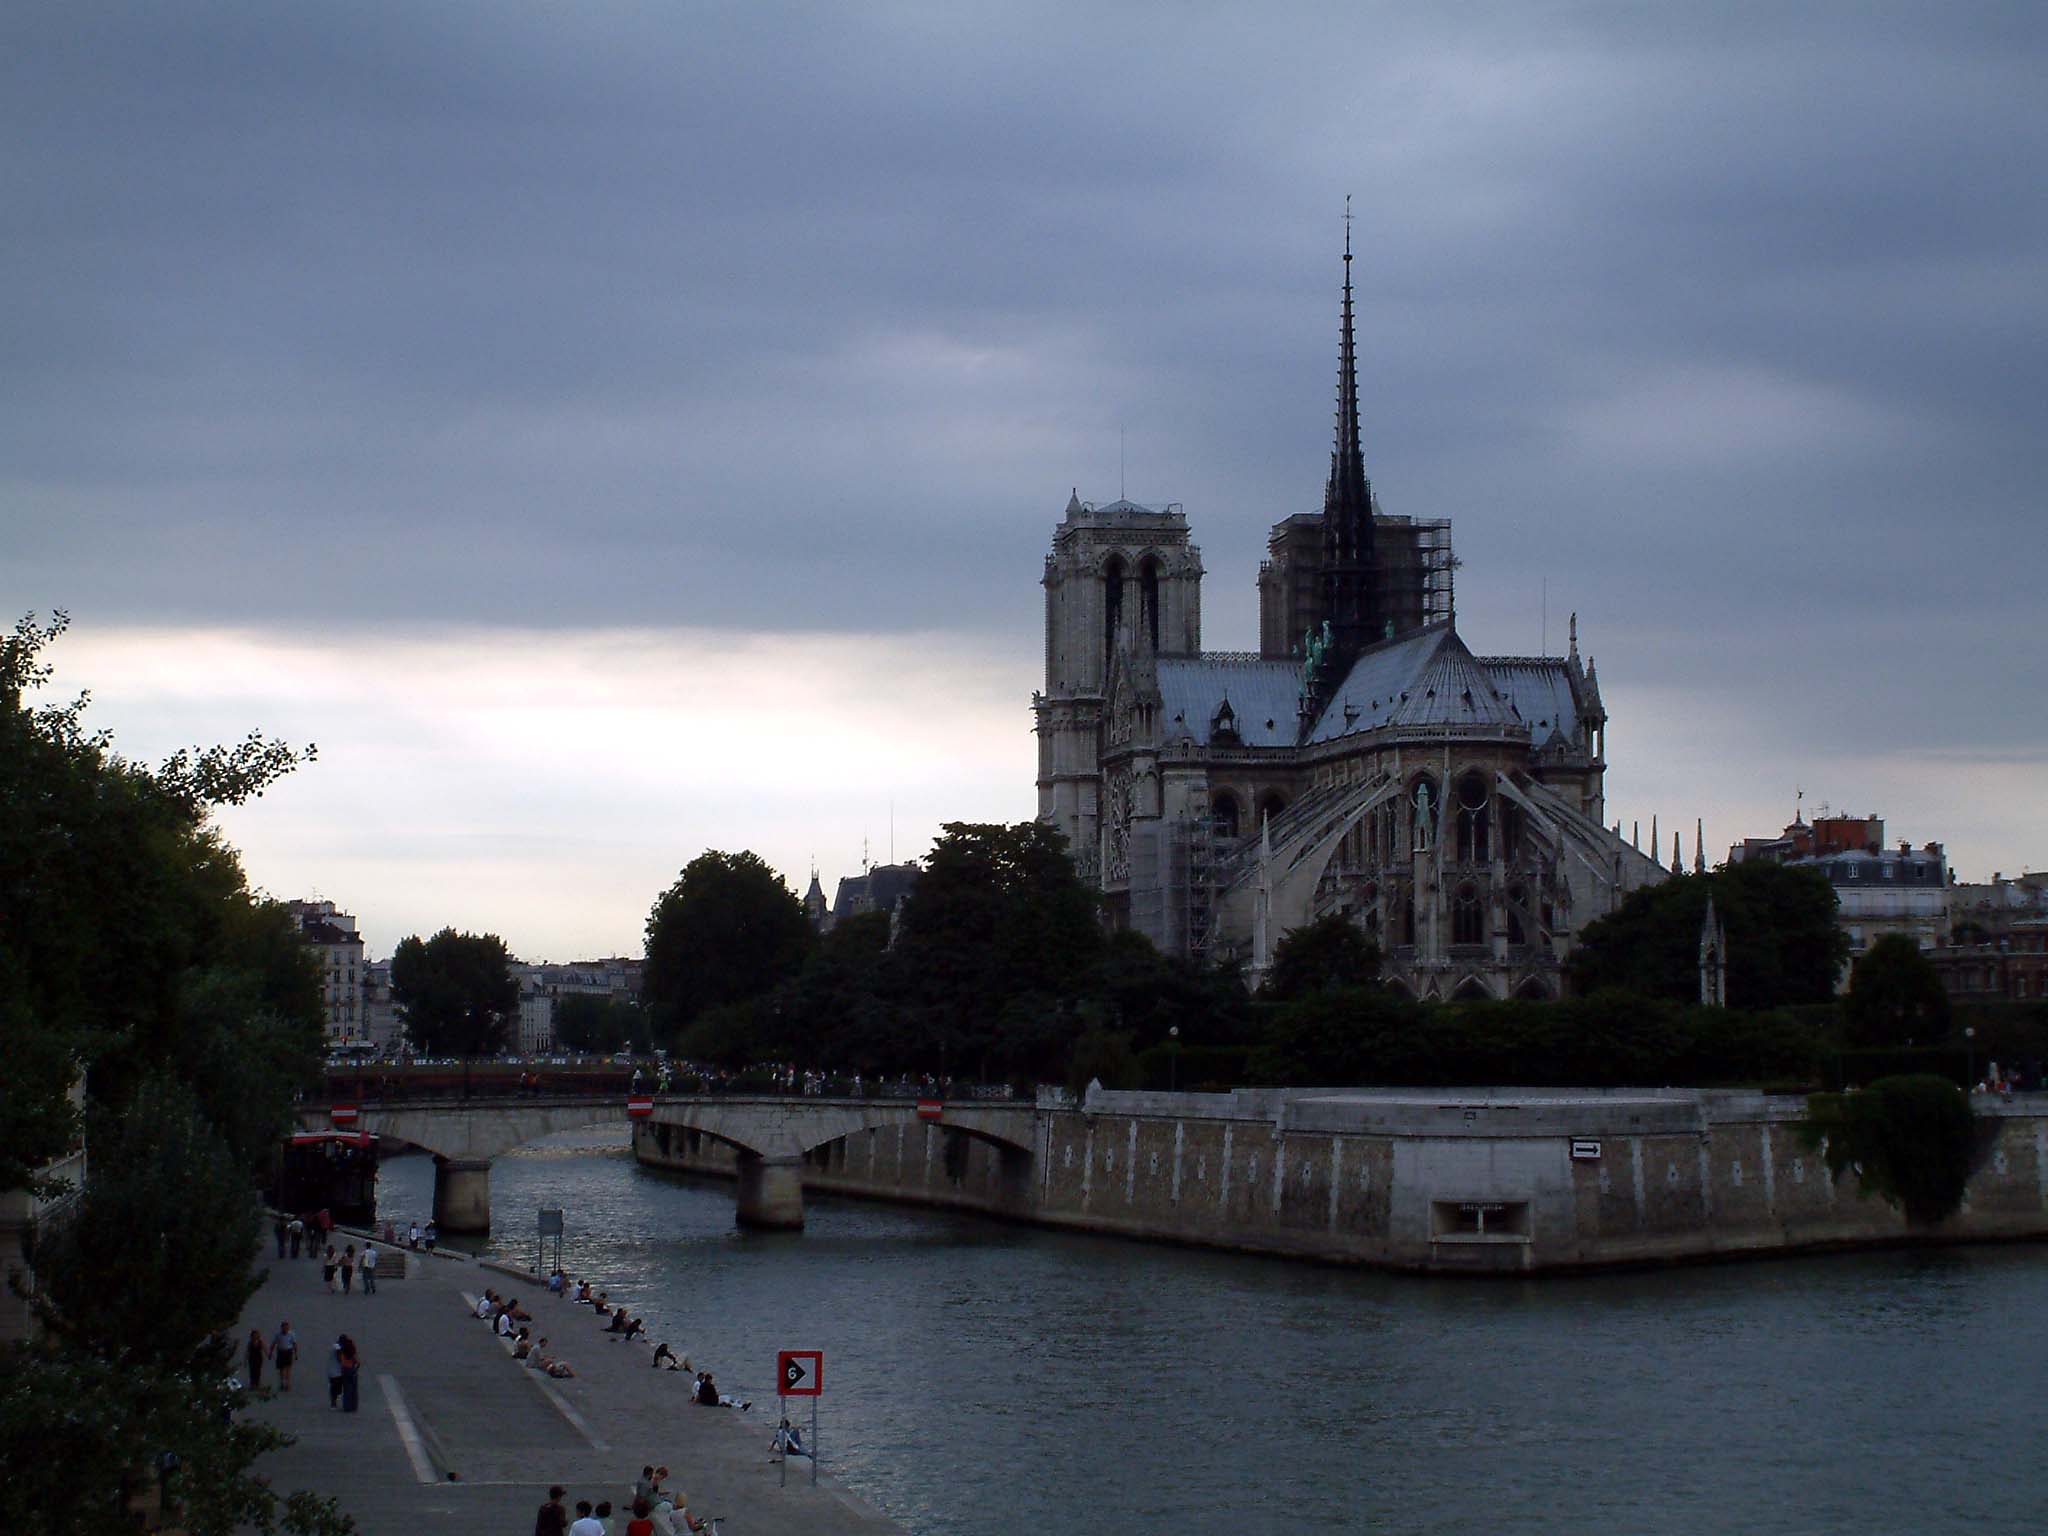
[617,431]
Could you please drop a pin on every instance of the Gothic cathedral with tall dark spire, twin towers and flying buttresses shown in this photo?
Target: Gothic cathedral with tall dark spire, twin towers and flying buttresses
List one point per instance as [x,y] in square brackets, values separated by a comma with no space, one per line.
[1361,763]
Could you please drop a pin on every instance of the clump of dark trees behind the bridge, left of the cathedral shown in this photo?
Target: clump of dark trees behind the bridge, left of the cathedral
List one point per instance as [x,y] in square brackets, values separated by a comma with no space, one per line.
[996,970]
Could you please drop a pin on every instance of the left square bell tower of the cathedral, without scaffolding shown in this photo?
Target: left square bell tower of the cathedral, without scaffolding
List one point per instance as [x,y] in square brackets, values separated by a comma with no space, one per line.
[1121,581]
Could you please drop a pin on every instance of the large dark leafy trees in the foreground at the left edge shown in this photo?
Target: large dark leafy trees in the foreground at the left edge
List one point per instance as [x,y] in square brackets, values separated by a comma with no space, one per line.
[132,953]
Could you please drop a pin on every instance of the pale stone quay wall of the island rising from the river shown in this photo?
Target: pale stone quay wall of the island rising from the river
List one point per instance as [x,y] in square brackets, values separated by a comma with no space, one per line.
[1463,1181]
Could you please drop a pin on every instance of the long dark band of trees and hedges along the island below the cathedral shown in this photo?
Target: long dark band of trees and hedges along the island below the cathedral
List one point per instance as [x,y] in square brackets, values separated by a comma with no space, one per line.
[1000,970]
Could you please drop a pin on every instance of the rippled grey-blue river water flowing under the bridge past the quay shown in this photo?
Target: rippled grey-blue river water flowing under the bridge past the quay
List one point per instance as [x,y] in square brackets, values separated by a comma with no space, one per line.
[986,1379]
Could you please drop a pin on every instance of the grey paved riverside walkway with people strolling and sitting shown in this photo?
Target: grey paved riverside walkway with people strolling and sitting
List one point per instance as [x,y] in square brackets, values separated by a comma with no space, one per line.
[441,1396]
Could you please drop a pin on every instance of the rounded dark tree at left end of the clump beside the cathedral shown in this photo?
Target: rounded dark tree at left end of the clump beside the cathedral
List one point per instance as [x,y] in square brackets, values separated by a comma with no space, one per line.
[724,933]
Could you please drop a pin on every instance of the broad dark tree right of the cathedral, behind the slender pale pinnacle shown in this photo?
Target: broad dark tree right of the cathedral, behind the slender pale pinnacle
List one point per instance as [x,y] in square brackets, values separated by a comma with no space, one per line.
[1785,945]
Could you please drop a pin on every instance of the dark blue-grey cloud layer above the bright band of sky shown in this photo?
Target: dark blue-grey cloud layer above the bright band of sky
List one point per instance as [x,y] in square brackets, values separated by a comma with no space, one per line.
[1725,323]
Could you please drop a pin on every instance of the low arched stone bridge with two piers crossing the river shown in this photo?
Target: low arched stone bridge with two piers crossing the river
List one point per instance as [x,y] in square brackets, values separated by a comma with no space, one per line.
[771,1136]
